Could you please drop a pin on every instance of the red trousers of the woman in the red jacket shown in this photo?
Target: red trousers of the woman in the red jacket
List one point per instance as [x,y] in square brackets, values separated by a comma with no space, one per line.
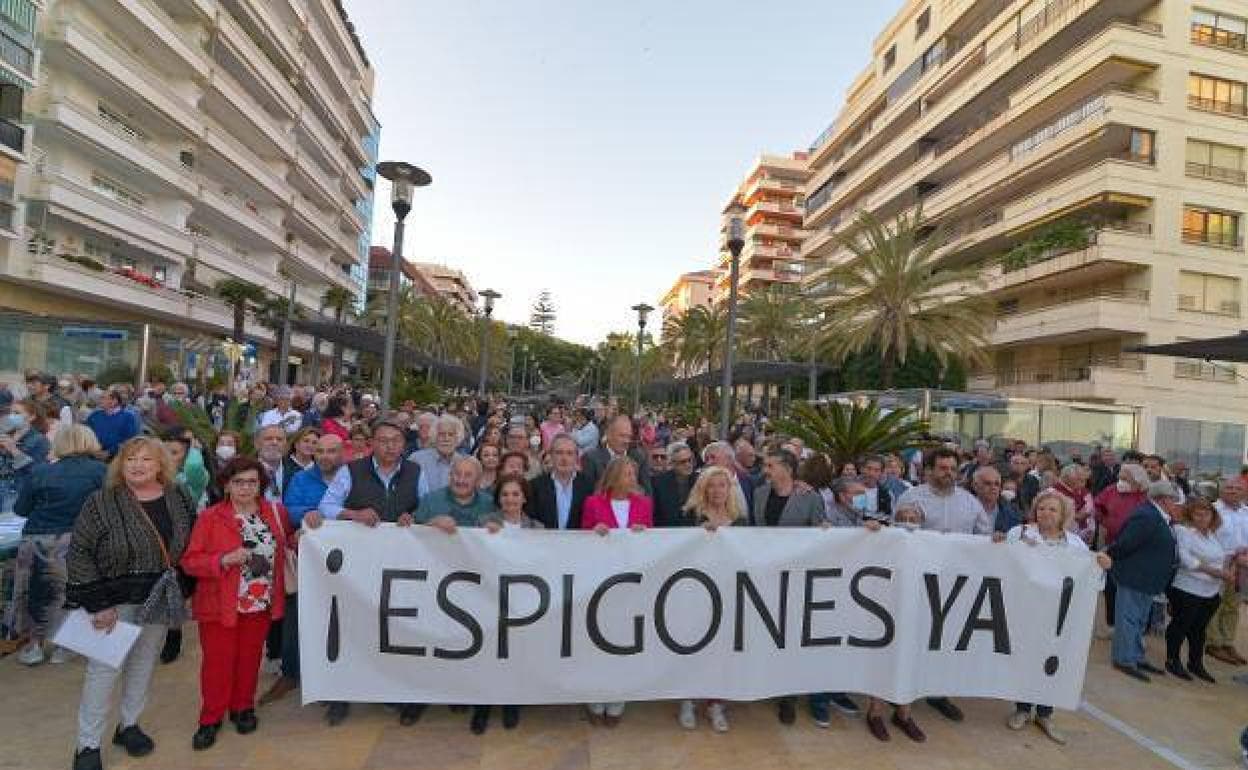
[232,666]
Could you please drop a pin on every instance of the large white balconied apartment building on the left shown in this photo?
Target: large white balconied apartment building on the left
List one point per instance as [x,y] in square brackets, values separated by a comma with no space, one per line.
[179,144]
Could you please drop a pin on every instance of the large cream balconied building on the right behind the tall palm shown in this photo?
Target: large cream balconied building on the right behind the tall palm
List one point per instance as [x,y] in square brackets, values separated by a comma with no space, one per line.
[1090,157]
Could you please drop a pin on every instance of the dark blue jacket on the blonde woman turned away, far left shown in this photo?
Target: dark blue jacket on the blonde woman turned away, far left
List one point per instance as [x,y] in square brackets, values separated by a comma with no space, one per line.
[54,495]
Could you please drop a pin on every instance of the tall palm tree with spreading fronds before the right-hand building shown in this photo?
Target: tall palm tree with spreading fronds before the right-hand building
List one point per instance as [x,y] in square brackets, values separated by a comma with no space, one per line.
[894,294]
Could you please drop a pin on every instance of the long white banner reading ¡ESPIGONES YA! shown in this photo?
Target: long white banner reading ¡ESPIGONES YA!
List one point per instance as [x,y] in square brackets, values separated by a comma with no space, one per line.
[524,617]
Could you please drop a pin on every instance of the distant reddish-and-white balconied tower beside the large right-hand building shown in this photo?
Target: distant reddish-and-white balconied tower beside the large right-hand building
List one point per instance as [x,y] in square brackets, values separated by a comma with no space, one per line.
[772,195]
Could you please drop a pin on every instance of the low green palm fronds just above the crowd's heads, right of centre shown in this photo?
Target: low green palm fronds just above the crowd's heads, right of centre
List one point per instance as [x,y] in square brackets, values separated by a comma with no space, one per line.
[848,434]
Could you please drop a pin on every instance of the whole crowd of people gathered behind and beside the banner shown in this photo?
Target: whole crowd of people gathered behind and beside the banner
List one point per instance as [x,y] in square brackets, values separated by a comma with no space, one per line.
[132,515]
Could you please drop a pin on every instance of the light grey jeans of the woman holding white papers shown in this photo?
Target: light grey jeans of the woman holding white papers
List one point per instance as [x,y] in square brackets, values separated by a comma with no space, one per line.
[102,681]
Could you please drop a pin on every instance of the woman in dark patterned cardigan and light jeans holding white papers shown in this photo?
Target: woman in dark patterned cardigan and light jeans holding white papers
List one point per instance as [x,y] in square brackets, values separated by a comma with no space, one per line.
[127,542]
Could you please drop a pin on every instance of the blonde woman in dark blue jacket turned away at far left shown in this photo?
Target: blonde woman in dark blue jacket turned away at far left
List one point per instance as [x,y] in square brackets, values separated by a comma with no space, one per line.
[51,504]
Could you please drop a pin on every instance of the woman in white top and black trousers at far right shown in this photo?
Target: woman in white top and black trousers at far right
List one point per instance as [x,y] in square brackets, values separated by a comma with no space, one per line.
[1197,588]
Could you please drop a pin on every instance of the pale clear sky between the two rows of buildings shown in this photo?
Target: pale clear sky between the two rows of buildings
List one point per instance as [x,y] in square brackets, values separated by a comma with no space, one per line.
[587,148]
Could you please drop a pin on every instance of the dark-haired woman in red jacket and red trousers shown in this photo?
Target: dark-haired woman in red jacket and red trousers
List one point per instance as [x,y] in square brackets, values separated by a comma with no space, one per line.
[238,552]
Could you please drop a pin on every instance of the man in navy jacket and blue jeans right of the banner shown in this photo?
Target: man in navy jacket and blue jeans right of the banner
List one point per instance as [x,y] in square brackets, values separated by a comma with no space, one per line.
[1144,566]
